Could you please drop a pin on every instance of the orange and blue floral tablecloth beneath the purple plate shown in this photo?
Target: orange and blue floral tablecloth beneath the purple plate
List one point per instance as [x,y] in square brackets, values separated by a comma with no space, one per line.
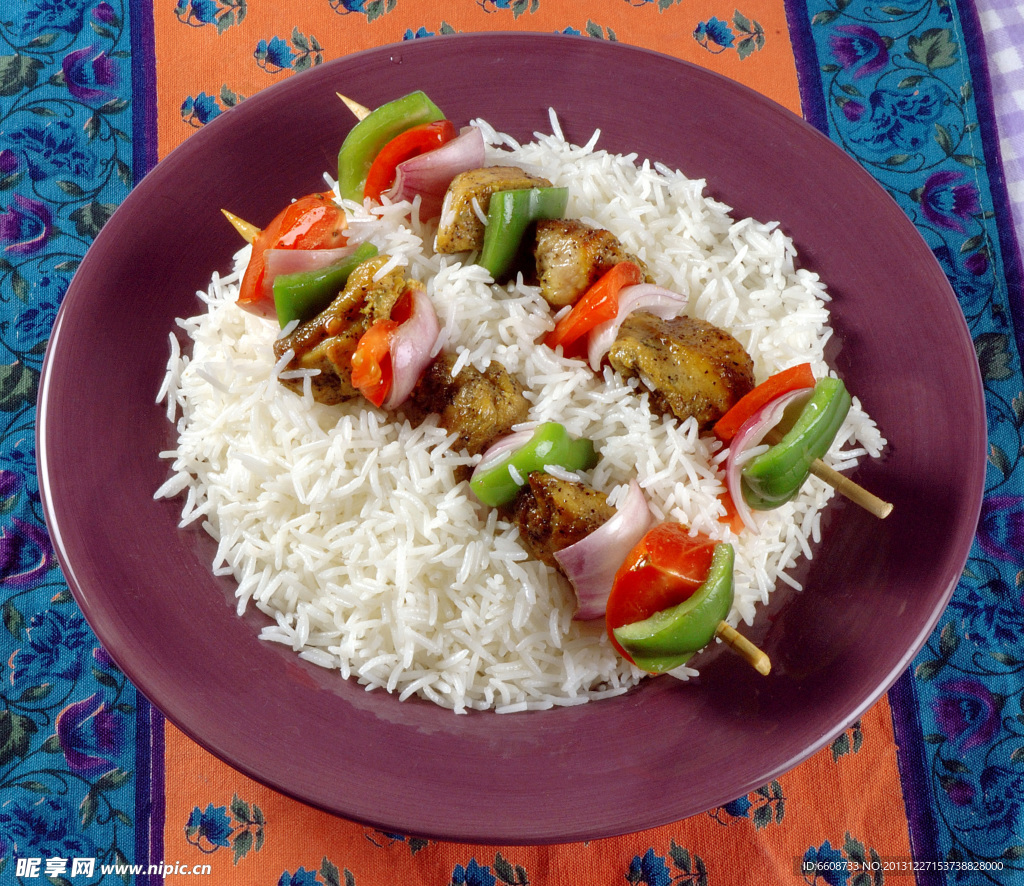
[927,787]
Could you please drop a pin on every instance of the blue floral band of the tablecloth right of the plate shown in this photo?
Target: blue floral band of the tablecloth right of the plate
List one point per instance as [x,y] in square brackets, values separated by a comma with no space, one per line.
[897,95]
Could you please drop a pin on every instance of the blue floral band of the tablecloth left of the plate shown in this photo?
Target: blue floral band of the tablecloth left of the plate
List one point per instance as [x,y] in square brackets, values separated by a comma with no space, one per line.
[70,723]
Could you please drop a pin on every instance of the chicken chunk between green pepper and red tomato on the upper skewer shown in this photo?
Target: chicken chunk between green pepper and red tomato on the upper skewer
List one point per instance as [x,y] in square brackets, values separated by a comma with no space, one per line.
[572,257]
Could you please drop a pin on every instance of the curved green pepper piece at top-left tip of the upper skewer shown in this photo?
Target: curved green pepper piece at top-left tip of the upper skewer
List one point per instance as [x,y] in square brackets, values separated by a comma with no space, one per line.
[366,140]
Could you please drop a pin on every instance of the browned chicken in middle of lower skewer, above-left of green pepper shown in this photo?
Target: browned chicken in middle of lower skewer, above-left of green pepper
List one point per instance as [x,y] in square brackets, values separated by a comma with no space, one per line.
[478,406]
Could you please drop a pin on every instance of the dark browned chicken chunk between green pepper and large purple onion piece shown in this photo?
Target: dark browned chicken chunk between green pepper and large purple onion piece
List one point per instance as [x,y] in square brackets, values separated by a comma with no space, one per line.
[552,515]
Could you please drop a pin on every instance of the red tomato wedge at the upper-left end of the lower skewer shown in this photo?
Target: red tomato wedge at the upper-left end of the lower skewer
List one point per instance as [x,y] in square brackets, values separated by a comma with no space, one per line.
[313,222]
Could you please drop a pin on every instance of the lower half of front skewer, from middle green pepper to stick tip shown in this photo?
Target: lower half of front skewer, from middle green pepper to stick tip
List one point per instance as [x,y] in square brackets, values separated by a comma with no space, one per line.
[664,594]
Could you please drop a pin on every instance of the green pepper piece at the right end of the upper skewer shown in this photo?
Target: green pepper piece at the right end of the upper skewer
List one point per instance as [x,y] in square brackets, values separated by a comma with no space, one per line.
[776,477]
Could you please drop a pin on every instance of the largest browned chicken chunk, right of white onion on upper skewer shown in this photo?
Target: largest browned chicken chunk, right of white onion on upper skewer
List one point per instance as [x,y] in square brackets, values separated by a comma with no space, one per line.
[691,367]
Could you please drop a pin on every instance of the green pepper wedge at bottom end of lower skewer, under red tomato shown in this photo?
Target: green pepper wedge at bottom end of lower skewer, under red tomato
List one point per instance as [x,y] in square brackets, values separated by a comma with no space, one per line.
[673,637]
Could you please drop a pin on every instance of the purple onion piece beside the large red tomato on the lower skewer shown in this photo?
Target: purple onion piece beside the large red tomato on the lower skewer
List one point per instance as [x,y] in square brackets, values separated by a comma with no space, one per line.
[591,564]
